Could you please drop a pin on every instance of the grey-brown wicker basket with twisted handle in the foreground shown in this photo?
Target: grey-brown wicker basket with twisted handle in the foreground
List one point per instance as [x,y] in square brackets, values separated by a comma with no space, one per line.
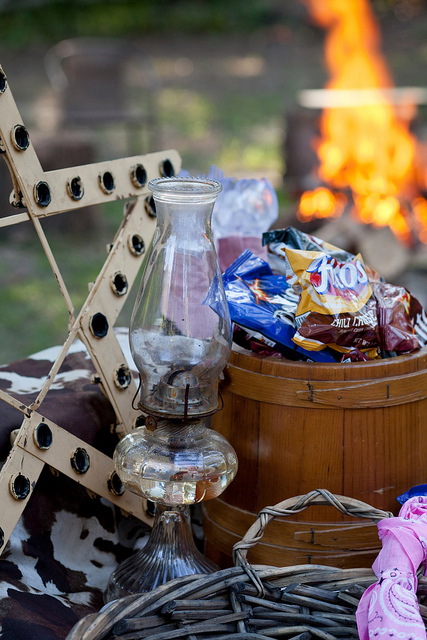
[248,601]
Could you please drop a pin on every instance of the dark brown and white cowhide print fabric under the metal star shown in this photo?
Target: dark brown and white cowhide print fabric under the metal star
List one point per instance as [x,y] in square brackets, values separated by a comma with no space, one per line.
[66,544]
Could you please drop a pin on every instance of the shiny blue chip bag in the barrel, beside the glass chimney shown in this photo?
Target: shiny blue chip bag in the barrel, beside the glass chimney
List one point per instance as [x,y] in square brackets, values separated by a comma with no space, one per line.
[263,303]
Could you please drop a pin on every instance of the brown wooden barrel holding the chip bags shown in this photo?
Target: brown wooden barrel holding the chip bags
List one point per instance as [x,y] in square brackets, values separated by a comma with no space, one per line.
[356,429]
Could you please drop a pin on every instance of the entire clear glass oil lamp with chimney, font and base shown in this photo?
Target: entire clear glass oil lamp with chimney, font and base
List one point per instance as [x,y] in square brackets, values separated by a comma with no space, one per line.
[180,338]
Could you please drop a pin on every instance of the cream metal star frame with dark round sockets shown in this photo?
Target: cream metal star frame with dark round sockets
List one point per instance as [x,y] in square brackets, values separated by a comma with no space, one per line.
[39,194]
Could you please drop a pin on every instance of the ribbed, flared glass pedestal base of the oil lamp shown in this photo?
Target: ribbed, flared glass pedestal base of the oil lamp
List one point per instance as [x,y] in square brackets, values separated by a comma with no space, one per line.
[169,553]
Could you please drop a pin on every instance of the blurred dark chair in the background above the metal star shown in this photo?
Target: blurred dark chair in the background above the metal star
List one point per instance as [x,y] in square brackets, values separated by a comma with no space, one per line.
[105,83]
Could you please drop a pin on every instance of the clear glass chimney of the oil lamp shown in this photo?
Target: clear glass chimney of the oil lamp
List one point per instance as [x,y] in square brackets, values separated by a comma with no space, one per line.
[180,332]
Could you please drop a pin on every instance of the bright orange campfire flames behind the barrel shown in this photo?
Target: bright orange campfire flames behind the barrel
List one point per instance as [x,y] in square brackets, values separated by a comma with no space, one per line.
[367,155]
